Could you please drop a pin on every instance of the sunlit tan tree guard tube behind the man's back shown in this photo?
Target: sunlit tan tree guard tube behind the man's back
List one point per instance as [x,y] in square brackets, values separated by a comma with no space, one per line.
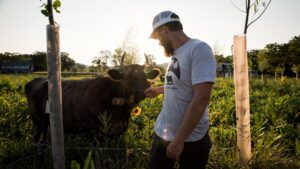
[242,102]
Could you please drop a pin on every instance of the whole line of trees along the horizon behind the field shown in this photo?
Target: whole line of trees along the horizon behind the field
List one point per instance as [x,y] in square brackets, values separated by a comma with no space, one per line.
[275,59]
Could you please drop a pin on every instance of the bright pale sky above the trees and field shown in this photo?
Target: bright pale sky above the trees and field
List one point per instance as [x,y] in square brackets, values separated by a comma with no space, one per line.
[87,27]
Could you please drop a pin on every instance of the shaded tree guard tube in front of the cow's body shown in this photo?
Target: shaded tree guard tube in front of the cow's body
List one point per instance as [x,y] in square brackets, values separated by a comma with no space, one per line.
[55,96]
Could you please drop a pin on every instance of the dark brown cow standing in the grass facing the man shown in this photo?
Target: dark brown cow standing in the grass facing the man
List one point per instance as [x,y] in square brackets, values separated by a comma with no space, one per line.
[84,100]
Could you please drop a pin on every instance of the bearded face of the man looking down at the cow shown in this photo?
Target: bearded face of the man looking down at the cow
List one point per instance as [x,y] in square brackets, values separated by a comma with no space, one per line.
[165,42]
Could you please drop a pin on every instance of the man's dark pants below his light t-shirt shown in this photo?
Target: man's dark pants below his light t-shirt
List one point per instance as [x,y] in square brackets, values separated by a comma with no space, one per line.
[194,155]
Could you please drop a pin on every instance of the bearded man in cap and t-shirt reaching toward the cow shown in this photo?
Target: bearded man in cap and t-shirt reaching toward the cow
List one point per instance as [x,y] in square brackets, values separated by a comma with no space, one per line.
[181,129]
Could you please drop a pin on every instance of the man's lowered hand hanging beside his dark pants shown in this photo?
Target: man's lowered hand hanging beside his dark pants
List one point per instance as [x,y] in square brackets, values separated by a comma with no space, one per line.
[174,150]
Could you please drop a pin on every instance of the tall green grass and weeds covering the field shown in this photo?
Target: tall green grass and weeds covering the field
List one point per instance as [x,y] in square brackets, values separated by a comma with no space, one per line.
[275,130]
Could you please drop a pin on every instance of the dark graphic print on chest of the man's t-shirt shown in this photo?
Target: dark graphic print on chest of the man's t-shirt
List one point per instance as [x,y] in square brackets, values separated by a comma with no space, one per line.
[173,71]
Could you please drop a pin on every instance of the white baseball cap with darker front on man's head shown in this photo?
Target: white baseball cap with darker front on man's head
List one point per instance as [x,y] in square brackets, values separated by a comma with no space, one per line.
[163,18]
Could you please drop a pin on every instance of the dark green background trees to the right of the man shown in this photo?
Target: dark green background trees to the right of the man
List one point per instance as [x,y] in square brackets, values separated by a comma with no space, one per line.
[277,59]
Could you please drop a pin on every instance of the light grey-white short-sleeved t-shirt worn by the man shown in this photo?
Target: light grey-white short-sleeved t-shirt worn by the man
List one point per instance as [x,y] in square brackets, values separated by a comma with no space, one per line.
[191,64]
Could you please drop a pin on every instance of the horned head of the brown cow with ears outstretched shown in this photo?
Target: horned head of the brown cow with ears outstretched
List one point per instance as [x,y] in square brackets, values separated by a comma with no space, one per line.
[134,78]
